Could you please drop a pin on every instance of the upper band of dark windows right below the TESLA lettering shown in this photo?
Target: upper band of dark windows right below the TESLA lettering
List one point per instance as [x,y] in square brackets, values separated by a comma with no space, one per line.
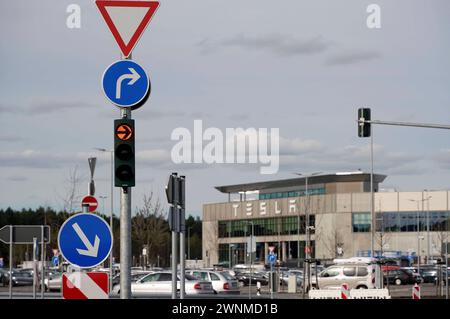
[264,226]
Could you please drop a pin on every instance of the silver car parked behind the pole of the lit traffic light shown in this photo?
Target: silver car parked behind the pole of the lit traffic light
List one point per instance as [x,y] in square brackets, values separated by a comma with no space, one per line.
[160,283]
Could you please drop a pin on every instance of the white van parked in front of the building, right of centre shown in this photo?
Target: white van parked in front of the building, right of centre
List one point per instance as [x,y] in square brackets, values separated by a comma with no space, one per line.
[357,276]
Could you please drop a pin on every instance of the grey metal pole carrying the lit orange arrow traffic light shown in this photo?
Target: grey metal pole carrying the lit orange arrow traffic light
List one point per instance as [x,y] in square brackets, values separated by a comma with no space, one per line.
[125,234]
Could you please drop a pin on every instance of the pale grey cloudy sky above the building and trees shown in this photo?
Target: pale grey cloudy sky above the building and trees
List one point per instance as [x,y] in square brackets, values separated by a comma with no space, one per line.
[301,66]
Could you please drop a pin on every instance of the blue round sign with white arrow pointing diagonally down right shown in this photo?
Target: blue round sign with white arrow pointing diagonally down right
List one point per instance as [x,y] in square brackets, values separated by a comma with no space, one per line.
[85,240]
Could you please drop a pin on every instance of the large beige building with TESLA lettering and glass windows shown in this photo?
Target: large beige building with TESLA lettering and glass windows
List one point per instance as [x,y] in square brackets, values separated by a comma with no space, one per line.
[413,224]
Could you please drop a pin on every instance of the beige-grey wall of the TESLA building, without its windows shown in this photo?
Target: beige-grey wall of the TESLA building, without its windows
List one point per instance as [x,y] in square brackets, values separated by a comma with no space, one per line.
[333,213]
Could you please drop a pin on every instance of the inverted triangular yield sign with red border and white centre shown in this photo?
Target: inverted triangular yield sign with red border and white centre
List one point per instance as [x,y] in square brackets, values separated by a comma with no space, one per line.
[127,20]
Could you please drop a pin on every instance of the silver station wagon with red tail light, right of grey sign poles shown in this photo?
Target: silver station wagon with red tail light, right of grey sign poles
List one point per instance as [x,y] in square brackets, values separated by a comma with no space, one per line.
[222,281]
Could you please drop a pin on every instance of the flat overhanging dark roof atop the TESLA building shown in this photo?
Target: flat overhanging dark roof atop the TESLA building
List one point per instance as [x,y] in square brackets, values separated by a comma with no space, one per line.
[300,181]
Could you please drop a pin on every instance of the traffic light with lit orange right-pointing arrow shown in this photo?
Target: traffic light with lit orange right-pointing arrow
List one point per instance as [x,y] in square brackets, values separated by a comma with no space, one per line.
[124,153]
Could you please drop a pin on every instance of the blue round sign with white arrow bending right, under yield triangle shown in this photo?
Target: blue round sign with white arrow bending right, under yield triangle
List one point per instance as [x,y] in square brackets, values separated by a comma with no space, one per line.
[126,84]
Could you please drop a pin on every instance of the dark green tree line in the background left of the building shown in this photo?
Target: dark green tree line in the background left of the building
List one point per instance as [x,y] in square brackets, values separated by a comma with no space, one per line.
[150,230]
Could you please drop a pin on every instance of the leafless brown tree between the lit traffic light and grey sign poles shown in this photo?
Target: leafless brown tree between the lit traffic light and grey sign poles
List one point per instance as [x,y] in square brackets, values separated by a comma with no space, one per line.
[149,227]
